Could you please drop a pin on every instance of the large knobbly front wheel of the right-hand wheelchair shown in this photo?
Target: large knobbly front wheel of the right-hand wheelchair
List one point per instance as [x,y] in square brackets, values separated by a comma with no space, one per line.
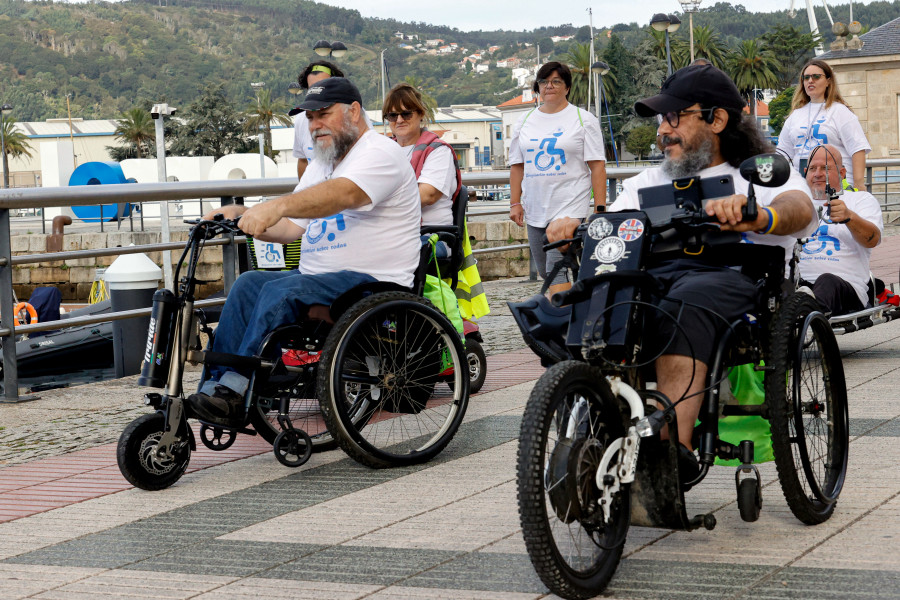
[570,419]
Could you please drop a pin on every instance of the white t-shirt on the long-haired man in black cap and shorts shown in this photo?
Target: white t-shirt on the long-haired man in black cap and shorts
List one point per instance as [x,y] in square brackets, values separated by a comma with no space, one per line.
[628,200]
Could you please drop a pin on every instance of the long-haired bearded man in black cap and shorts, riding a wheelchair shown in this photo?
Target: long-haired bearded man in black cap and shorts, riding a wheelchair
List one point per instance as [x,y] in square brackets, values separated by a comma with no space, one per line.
[703,132]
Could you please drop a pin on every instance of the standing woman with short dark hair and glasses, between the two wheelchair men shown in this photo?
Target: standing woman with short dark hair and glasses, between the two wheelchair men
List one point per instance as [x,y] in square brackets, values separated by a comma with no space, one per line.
[556,159]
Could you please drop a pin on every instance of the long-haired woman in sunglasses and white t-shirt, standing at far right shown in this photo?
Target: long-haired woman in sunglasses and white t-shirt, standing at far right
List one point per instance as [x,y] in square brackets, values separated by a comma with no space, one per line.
[819,115]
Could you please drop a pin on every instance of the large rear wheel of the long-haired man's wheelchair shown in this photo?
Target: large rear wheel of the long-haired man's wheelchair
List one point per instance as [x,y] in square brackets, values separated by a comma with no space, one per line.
[807,399]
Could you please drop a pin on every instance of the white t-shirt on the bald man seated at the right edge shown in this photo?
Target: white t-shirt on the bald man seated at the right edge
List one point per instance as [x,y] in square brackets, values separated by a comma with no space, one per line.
[832,248]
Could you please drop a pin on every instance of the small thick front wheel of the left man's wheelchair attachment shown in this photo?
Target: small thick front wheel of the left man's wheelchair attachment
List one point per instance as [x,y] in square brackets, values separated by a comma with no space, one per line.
[138,459]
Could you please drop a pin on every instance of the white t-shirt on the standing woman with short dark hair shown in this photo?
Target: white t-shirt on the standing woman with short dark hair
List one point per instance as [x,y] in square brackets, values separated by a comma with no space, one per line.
[555,149]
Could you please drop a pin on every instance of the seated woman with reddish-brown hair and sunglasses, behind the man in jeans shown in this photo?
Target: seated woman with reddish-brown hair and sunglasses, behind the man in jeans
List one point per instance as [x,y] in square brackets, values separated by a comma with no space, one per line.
[433,160]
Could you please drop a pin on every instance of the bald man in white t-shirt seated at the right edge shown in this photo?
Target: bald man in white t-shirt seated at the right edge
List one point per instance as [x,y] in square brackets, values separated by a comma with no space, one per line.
[835,260]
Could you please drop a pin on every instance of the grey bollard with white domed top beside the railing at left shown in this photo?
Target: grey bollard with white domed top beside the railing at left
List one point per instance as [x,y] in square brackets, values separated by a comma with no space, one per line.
[132,280]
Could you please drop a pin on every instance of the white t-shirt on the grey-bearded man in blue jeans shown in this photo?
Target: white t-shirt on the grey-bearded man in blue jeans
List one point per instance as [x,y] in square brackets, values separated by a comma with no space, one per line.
[381,238]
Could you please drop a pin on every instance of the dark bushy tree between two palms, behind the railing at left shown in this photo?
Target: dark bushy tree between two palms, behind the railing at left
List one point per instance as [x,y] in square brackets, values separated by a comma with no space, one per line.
[211,127]
